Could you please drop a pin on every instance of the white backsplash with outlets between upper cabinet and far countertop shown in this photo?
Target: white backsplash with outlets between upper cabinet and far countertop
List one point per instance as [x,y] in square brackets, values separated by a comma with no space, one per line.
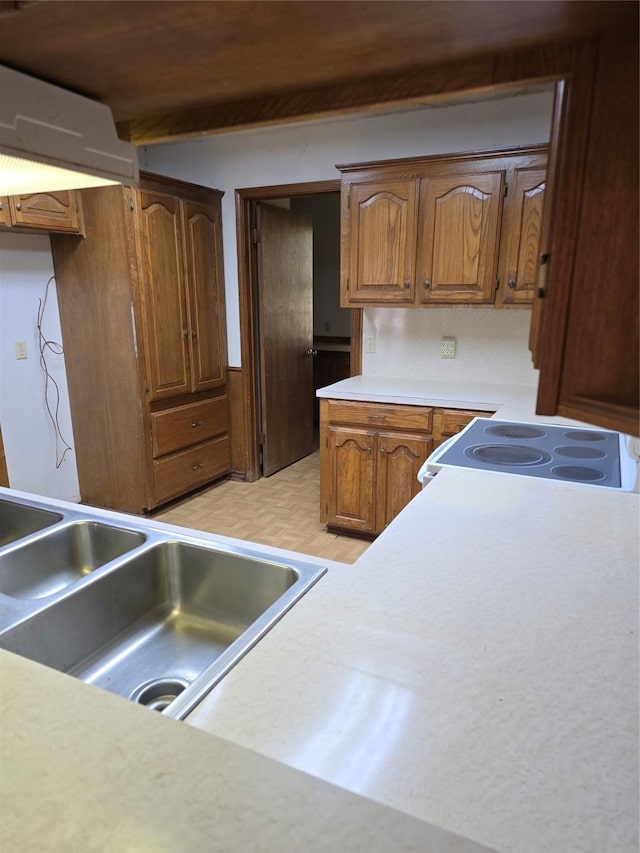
[491,346]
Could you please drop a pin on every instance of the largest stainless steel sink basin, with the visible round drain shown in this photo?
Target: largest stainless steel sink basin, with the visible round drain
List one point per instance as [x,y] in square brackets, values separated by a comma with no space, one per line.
[163,627]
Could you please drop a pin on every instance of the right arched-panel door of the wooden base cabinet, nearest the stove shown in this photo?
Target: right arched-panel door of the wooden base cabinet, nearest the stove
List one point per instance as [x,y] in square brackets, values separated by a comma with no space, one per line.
[399,460]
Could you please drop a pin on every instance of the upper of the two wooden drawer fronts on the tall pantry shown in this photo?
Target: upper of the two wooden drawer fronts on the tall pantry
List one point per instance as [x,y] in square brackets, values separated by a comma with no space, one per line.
[173,429]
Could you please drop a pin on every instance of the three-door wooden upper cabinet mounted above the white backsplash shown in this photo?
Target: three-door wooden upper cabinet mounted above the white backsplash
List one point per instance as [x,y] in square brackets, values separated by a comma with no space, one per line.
[442,230]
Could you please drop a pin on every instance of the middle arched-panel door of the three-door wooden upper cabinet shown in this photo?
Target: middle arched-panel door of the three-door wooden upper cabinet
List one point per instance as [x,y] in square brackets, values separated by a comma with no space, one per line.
[458,239]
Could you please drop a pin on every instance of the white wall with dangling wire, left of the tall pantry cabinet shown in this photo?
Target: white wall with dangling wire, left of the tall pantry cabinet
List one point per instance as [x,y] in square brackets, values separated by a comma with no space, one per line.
[29,437]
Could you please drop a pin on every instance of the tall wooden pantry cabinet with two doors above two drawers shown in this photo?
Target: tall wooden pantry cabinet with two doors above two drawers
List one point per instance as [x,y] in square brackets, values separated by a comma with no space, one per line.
[143,325]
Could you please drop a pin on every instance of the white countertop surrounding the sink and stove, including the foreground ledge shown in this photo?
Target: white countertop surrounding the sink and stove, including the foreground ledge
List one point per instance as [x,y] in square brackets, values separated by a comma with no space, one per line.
[475,671]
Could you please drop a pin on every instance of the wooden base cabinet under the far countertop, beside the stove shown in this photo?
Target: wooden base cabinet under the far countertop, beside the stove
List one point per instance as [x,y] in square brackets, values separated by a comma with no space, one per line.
[370,455]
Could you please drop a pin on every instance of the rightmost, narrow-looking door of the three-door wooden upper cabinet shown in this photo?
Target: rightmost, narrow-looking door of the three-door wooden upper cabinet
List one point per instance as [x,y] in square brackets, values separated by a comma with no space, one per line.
[521,230]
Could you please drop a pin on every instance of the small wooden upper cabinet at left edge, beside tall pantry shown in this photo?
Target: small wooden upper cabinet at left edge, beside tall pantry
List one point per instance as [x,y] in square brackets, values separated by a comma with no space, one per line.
[44,212]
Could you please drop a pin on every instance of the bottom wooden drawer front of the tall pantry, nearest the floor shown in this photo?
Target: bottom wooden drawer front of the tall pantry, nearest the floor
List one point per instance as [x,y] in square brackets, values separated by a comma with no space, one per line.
[183,471]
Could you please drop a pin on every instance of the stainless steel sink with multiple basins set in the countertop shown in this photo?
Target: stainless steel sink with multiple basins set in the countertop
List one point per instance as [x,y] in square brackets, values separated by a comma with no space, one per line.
[131,607]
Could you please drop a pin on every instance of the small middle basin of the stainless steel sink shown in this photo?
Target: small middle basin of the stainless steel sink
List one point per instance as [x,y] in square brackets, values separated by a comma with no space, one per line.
[51,562]
